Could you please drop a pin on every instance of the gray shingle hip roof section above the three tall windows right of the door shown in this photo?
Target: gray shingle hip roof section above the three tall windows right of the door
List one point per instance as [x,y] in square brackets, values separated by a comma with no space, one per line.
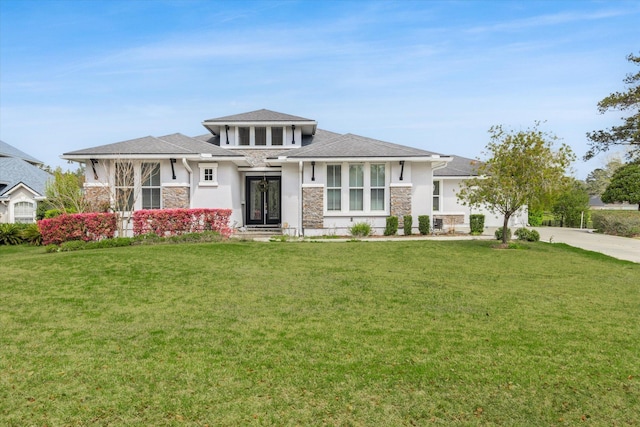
[353,146]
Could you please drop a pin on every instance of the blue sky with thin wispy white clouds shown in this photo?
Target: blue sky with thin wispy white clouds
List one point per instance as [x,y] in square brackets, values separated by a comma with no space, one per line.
[429,74]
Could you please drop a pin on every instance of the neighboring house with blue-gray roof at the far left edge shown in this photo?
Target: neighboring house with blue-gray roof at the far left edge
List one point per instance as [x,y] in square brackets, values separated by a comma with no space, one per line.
[22,184]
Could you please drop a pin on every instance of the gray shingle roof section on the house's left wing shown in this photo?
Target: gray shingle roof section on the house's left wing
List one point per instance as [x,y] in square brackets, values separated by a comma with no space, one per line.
[174,144]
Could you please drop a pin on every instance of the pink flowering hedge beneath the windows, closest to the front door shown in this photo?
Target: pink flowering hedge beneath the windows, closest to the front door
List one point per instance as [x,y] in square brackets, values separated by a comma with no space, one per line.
[171,222]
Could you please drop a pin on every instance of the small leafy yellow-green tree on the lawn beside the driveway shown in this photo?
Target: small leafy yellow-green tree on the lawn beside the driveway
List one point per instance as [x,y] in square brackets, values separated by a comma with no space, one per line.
[522,168]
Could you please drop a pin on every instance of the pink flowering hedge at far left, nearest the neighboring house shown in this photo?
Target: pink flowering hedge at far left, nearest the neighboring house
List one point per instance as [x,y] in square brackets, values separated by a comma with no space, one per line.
[84,226]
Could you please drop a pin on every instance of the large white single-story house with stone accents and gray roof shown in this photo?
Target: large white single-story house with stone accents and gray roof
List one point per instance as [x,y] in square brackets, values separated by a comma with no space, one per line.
[278,170]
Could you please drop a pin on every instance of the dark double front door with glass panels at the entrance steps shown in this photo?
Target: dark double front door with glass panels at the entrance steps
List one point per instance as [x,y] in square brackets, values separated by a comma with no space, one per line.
[263,200]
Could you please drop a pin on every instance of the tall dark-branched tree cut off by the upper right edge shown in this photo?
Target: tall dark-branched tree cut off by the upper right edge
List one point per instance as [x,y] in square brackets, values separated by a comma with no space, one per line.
[628,133]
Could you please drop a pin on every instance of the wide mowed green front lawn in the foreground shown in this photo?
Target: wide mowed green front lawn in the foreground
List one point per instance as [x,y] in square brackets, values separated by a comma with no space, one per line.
[360,333]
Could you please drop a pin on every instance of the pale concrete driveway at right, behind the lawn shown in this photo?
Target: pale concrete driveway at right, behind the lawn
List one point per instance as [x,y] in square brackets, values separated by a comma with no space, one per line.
[617,247]
